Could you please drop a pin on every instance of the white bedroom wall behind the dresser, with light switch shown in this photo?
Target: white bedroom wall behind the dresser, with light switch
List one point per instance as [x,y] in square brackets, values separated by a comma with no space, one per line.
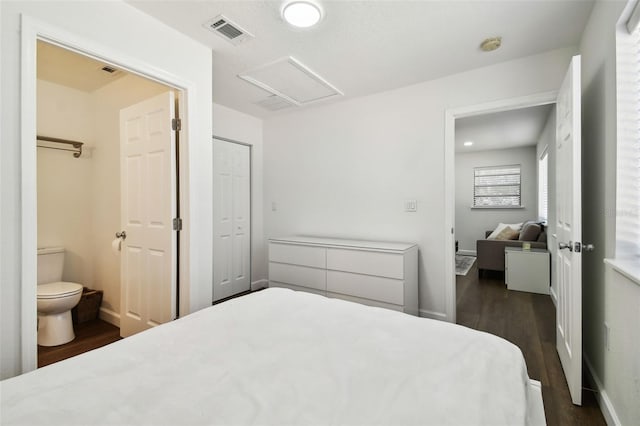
[345,169]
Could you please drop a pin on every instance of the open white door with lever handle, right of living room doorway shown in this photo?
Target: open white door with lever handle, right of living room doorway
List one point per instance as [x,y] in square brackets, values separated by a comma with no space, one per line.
[569,230]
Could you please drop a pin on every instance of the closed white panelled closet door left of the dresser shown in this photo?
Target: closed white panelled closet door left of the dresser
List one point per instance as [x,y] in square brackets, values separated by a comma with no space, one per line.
[231,219]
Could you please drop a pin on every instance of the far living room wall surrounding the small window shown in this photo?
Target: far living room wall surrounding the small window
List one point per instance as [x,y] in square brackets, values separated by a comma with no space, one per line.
[471,224]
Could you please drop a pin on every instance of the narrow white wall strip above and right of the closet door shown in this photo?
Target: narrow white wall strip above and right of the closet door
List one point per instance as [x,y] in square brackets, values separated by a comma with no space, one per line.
[240,127]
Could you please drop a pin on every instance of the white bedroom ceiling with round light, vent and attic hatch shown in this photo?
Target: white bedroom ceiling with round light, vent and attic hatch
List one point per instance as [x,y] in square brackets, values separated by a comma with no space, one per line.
[364,47]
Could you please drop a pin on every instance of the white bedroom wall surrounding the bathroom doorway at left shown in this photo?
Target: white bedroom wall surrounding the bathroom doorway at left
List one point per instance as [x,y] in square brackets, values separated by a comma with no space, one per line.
[120,30]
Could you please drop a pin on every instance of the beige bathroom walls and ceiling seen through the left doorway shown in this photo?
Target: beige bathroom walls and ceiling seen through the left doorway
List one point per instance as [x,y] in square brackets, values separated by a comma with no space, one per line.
[79,197]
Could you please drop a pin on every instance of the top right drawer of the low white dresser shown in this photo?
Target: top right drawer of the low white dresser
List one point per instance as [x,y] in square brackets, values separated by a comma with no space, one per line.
[389,265]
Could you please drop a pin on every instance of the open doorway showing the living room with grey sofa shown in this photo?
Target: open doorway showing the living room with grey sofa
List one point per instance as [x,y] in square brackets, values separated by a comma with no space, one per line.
[500,202]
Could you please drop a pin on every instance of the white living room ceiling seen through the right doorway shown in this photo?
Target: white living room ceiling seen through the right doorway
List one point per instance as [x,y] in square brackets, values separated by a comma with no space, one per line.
[500,130]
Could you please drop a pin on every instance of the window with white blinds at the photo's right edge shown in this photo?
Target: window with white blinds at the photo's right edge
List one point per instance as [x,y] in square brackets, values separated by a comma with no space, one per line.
[628,146]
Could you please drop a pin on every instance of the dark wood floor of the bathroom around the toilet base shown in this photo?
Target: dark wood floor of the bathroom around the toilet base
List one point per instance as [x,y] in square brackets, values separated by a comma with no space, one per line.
[89,335]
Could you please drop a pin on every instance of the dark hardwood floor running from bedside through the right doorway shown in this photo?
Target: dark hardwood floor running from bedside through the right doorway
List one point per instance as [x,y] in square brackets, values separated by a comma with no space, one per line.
[528,321]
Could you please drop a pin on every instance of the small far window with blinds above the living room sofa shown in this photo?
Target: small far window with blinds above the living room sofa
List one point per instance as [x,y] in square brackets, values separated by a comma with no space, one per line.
[496,187]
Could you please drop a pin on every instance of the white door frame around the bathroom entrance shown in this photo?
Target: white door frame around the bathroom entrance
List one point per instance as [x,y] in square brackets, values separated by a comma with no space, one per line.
[33,30]
